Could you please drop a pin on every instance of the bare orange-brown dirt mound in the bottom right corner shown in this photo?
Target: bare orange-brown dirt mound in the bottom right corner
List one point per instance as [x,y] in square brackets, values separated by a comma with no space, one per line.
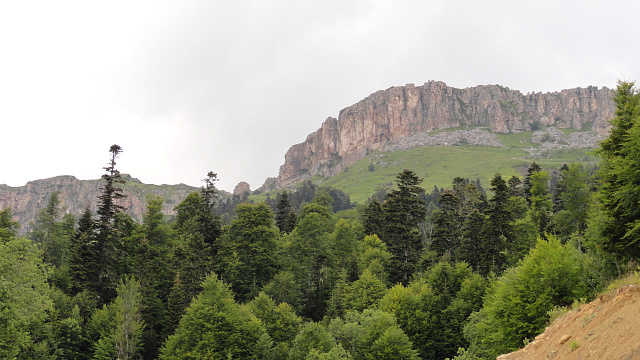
[606,328]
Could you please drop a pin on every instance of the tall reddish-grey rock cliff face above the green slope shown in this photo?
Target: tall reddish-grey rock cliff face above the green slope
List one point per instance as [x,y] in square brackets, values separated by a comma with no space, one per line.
[395,113]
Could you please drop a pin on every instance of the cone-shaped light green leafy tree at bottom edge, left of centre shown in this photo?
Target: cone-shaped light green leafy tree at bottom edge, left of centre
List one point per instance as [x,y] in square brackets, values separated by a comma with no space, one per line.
[214,327]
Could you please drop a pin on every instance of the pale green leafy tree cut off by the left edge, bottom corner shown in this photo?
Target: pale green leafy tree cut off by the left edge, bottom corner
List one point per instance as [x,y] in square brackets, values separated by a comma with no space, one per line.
[24,300]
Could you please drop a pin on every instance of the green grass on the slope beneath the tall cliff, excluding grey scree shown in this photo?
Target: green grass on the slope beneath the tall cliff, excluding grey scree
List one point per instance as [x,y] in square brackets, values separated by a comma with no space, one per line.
[438,165]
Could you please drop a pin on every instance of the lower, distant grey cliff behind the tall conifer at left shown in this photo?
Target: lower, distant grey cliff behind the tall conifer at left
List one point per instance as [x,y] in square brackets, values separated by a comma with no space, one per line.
[26,201]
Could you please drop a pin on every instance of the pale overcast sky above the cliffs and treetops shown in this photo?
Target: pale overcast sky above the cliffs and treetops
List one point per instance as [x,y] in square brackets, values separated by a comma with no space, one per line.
[187,87]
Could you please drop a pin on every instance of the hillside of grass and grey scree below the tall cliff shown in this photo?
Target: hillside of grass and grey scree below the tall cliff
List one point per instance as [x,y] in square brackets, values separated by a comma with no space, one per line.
[473,154]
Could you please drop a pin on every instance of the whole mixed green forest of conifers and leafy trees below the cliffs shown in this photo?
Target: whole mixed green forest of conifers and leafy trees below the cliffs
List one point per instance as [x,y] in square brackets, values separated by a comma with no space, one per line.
[461,273]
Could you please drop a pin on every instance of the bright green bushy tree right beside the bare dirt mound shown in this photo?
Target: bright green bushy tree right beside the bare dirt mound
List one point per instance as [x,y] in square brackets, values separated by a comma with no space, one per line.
[517,304]
